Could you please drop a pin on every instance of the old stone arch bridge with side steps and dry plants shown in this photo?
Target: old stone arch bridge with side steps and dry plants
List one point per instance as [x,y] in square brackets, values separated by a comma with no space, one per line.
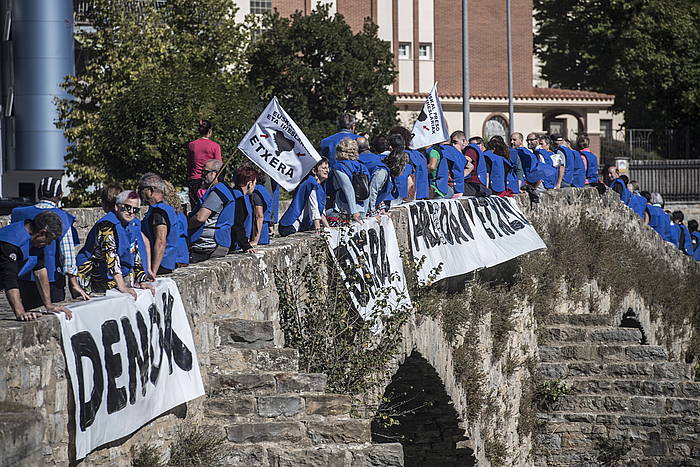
[472,368]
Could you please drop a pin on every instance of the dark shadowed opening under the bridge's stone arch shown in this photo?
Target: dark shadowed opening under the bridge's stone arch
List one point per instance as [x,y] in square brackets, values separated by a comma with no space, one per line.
[417,412]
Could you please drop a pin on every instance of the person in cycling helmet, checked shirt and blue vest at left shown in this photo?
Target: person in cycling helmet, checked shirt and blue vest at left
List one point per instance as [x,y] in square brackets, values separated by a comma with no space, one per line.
[59,256]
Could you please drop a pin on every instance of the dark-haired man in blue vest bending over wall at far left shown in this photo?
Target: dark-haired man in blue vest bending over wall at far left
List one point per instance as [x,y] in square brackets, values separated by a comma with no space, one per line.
[22,247]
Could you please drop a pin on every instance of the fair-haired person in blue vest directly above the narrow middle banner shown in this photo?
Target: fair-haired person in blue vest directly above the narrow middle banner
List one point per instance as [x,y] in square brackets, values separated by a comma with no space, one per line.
[350,182]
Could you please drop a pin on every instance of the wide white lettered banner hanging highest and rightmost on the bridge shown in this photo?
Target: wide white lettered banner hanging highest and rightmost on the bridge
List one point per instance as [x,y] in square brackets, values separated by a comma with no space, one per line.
[467,234]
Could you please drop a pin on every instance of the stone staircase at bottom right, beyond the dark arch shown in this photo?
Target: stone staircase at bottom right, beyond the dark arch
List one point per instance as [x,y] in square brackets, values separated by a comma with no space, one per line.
[625,403]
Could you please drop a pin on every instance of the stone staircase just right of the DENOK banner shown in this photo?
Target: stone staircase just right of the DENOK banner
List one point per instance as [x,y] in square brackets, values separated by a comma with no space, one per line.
[270,414]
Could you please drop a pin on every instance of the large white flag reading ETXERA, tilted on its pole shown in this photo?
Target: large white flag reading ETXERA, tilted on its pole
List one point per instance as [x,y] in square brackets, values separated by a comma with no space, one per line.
[276,145]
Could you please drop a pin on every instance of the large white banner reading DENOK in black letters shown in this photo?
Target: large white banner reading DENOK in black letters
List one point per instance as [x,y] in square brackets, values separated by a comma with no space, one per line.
[129,362]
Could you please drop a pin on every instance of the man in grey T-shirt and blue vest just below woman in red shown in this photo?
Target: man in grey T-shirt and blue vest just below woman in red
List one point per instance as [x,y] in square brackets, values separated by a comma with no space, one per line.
[209,224]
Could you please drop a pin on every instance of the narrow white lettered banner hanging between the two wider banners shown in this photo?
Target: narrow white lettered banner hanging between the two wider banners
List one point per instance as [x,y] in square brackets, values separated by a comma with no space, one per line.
[369,260]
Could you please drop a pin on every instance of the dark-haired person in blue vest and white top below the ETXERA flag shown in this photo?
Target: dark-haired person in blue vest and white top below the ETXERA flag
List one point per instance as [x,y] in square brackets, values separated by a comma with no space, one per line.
[305,212]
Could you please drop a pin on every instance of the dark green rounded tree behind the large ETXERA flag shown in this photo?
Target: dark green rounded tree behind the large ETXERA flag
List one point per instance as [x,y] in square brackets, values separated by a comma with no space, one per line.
[319,69]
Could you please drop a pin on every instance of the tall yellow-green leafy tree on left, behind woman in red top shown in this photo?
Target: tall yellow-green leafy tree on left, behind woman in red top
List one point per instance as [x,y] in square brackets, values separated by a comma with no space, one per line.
[151,74]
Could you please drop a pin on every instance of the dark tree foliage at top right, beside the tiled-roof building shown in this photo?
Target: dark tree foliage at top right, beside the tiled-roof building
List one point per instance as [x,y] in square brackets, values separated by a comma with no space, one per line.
[645,52]
